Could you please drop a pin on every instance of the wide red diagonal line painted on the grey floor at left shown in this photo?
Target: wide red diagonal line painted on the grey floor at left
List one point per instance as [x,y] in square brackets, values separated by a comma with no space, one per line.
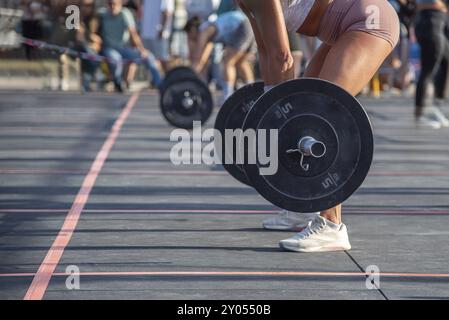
[40,282]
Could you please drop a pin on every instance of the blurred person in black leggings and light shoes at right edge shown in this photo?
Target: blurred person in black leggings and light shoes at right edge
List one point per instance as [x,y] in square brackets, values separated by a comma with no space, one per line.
[430,27]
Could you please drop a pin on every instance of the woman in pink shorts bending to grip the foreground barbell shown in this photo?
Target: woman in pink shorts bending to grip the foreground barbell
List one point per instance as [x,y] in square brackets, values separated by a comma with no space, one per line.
[357,36]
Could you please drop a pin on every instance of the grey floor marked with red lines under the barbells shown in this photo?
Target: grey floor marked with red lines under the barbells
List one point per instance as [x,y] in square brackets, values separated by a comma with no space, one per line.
[86,182]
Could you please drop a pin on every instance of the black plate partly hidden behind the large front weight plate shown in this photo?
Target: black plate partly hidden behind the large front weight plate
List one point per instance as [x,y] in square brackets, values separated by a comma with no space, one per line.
[231,116]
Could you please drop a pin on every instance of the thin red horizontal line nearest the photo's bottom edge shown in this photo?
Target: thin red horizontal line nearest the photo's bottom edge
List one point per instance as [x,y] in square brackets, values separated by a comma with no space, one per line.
[234,273]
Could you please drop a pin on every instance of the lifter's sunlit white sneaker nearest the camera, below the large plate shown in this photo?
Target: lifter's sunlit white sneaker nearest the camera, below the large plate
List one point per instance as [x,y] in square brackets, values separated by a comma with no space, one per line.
[318,237]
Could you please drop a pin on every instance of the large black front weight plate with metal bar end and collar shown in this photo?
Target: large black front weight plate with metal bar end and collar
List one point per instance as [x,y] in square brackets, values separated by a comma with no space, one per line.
[317,108]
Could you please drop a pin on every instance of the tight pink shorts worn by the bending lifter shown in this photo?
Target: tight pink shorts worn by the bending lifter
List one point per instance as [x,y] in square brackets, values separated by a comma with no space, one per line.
[376,17]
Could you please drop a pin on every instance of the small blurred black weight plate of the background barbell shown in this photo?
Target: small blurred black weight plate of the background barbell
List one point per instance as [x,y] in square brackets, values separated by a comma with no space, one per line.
[177,112]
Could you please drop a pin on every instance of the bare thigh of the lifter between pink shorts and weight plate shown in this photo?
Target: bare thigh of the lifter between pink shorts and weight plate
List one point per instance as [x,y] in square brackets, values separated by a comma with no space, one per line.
[354,59]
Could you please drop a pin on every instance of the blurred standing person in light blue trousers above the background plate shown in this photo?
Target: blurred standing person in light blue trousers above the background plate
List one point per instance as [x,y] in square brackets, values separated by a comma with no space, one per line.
[157,23]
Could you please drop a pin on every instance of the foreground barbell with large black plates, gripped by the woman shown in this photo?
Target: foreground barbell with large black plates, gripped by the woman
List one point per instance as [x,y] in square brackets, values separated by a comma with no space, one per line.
[324,142]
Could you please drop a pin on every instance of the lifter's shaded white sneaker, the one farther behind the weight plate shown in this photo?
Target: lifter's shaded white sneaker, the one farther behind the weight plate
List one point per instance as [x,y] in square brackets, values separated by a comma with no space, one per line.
[289,221]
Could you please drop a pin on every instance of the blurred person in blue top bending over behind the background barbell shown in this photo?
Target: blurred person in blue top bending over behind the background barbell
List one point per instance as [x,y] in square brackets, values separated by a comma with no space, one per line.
[233,30]
